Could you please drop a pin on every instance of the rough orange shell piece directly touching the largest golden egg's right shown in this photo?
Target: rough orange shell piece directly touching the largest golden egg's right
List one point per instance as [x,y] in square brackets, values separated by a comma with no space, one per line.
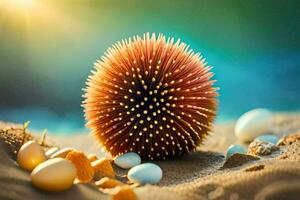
[85,171]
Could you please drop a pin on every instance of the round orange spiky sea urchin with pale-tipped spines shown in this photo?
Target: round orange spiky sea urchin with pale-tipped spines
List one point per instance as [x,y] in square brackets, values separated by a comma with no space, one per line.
[152,96]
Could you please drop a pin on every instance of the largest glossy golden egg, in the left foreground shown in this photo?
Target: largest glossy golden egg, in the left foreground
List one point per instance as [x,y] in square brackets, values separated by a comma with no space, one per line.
[54,175]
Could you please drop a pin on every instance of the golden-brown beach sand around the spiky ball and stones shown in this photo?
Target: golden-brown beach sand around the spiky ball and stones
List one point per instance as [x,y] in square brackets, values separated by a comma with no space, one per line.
[198,175]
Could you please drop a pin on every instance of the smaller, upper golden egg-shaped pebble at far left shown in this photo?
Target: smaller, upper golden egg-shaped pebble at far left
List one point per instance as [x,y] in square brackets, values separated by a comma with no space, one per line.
[30,155]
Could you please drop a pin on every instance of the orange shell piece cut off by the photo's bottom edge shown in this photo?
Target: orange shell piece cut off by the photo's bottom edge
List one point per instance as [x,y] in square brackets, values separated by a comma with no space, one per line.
[123,193]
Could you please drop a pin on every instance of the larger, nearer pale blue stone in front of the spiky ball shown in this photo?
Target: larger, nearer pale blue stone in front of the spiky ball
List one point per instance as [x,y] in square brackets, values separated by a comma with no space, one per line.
[145,173]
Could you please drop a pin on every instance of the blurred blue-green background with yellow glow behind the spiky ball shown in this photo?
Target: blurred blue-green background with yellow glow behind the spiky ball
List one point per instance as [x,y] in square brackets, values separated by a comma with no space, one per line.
[47,49]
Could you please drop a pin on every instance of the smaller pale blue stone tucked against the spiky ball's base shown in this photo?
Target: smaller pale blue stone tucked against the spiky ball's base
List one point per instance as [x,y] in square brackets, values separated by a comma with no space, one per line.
[128,160]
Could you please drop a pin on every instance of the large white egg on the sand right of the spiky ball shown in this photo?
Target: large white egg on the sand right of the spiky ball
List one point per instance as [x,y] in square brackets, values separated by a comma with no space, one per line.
[252,124]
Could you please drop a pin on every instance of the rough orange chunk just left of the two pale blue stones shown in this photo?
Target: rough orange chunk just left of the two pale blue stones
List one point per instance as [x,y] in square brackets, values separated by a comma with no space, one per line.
[102,168]
